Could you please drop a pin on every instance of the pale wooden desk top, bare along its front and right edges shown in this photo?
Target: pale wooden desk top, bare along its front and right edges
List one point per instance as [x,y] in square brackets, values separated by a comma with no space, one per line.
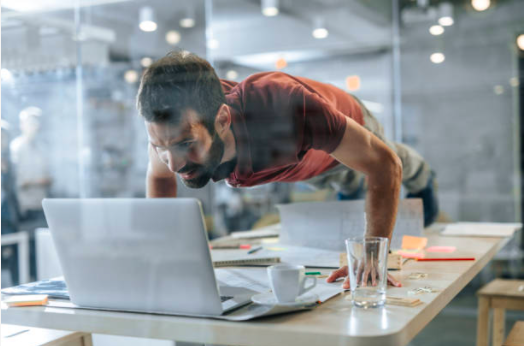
[332,323]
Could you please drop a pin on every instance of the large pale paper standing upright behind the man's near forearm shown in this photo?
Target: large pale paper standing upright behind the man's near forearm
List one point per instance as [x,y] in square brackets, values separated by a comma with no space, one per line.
[325,225]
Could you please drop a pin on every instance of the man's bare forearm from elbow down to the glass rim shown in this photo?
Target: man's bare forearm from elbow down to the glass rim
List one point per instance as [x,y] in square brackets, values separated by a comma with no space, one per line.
[382,203]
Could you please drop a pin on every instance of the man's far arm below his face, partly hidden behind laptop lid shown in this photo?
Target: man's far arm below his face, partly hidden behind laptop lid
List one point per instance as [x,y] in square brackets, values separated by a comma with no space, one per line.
[160,181]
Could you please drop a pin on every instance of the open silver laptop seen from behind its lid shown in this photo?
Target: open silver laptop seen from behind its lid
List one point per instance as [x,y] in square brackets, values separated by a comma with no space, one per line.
[145,255]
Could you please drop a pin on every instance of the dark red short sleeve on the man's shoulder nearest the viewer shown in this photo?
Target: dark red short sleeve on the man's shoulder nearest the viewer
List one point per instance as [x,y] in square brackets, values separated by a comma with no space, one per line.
[323,124]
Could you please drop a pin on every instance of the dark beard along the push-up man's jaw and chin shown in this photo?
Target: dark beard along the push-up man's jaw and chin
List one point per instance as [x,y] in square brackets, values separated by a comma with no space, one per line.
[205,172]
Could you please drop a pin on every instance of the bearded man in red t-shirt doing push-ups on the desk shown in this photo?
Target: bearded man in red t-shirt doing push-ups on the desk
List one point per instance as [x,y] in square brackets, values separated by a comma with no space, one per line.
[271,127]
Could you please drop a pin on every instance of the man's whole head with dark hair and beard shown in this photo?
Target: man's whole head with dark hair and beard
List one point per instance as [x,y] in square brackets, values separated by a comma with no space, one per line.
[182,102]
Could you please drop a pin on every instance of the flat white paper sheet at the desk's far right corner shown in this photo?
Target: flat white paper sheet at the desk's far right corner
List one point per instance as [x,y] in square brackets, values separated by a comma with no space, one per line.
[481,229]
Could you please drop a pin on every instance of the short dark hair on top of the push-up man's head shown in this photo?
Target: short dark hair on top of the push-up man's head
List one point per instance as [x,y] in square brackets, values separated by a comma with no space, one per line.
[177,82]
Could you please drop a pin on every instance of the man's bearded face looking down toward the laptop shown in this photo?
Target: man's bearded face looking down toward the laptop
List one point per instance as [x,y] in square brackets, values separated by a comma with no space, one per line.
[187,148]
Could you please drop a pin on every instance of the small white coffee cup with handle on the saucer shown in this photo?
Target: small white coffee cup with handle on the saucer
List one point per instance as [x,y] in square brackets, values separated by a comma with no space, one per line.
[289,281]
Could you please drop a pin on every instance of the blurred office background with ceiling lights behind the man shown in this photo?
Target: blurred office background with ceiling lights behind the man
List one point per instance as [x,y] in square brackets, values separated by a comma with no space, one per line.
[442,76]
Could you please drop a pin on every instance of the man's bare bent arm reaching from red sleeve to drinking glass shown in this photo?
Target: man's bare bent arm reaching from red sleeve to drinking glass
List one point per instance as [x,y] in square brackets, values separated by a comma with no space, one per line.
[366,153]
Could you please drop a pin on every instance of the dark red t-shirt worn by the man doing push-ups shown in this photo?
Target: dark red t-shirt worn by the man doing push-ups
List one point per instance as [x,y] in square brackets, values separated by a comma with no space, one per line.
[285,127]
